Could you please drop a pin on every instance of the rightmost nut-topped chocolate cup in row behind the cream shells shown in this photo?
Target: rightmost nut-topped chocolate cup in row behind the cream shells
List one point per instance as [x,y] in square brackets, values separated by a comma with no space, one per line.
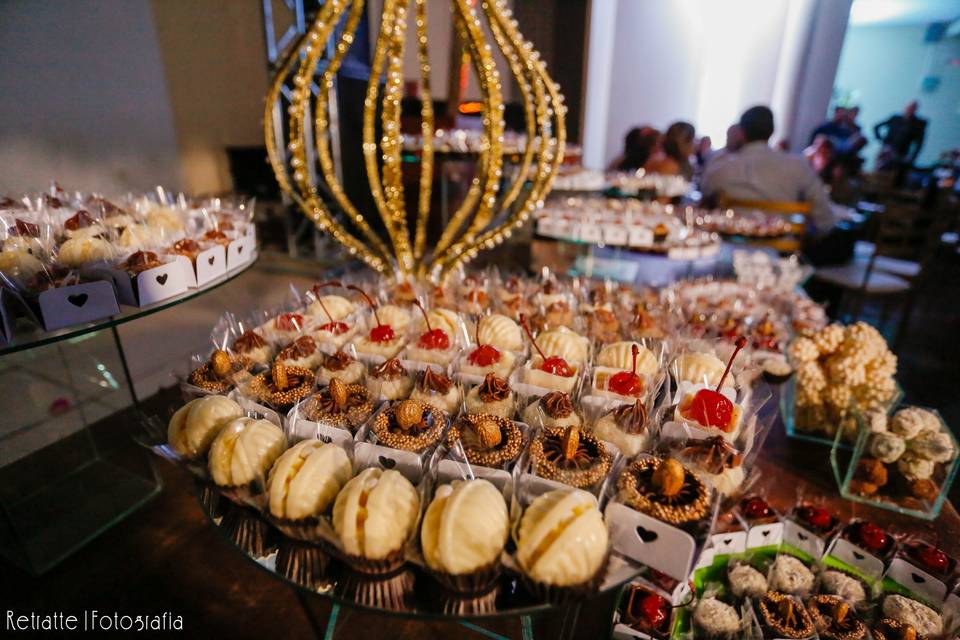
[664,489]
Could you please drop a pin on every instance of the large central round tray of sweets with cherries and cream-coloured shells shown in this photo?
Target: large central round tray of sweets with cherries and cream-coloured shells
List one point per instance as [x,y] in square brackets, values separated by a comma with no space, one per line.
[503,443]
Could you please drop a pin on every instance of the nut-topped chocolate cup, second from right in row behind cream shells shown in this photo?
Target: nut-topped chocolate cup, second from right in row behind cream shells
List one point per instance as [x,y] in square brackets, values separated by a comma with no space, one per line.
[569,456]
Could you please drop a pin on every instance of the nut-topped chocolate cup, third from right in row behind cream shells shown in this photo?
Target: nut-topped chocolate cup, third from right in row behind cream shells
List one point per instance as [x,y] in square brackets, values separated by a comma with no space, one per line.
[487,440]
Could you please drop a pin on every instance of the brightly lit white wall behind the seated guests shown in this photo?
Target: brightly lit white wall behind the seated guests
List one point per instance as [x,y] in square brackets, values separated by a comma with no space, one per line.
[706,61]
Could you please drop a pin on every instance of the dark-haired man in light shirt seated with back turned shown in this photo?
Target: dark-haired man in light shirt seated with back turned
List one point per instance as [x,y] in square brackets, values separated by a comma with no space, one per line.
[758,172]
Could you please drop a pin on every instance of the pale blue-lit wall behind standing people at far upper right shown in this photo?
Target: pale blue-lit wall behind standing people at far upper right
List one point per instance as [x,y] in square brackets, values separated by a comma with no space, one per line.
[882,68]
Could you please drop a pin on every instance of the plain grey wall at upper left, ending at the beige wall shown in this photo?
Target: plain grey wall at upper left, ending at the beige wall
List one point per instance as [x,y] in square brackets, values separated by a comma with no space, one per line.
[83,97]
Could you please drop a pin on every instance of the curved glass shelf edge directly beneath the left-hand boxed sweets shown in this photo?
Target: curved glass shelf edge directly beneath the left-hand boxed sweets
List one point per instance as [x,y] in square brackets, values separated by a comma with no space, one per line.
[29,336]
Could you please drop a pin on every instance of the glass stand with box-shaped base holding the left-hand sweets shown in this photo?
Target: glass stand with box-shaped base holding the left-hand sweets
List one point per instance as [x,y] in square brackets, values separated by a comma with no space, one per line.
[62,481]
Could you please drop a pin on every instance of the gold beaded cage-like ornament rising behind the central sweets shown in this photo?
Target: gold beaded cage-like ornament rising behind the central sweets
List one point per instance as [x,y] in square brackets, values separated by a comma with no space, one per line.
[486,217]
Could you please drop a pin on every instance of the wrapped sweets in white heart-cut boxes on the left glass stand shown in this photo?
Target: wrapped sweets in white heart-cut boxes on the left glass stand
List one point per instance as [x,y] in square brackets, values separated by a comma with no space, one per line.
[70,259]
